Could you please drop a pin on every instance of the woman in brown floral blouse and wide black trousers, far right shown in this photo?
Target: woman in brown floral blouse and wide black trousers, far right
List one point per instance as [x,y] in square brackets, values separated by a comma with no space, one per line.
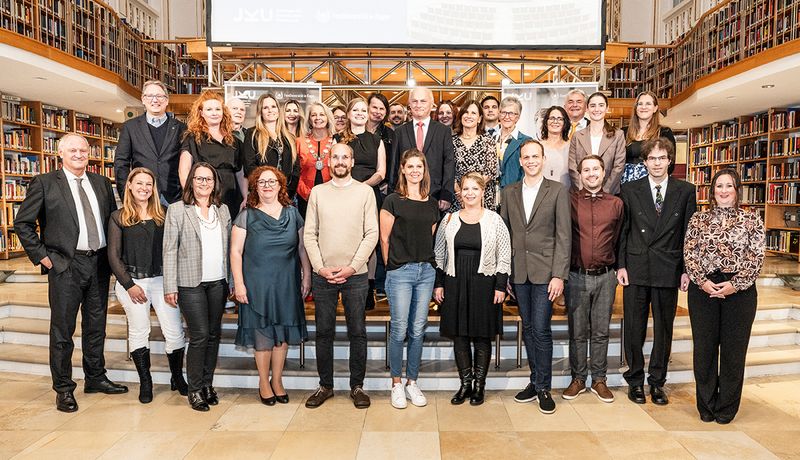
[724,253]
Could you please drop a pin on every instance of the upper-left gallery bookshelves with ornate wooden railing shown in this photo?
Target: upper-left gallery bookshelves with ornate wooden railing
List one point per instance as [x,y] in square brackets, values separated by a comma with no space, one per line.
[92,31]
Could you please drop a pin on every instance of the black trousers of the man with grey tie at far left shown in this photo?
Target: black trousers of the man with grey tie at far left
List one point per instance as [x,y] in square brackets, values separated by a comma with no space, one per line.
[83,285]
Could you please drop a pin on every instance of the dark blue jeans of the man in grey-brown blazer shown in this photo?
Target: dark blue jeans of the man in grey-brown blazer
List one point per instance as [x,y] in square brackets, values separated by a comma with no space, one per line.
[536,310]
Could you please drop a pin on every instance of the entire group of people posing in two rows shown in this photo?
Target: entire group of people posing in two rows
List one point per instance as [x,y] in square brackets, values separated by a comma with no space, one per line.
[316,201]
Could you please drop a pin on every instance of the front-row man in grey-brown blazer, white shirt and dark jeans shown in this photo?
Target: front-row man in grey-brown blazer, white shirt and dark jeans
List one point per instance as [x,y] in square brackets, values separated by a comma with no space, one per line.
[537,213]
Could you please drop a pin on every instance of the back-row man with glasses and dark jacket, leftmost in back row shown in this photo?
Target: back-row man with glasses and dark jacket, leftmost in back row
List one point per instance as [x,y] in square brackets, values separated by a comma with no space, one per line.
[152,140]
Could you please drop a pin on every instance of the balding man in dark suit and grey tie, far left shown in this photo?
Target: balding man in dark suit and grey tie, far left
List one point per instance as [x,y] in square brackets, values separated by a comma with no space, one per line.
[72,207]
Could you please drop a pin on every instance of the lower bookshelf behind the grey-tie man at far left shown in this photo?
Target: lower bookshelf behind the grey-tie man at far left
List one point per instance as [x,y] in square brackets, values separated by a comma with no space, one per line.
[31,130]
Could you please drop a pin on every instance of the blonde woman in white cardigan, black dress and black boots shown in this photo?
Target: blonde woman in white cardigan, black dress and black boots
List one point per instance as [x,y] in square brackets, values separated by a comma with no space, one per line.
[473,259]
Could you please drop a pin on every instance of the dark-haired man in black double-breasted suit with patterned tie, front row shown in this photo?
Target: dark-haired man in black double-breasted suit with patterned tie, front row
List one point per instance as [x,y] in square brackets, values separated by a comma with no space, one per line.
[650,265]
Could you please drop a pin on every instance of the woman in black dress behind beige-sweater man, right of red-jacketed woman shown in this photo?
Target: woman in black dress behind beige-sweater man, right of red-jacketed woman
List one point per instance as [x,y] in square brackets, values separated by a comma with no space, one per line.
[369,156]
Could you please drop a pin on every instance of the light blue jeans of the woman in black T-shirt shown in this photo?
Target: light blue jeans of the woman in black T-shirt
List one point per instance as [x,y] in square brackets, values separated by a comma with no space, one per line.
[409,290]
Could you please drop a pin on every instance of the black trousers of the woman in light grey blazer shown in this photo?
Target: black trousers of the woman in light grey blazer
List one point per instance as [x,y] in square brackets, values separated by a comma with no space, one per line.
[202,307]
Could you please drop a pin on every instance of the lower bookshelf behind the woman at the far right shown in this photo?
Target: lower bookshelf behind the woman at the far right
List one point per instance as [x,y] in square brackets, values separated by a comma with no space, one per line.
[765,149]
